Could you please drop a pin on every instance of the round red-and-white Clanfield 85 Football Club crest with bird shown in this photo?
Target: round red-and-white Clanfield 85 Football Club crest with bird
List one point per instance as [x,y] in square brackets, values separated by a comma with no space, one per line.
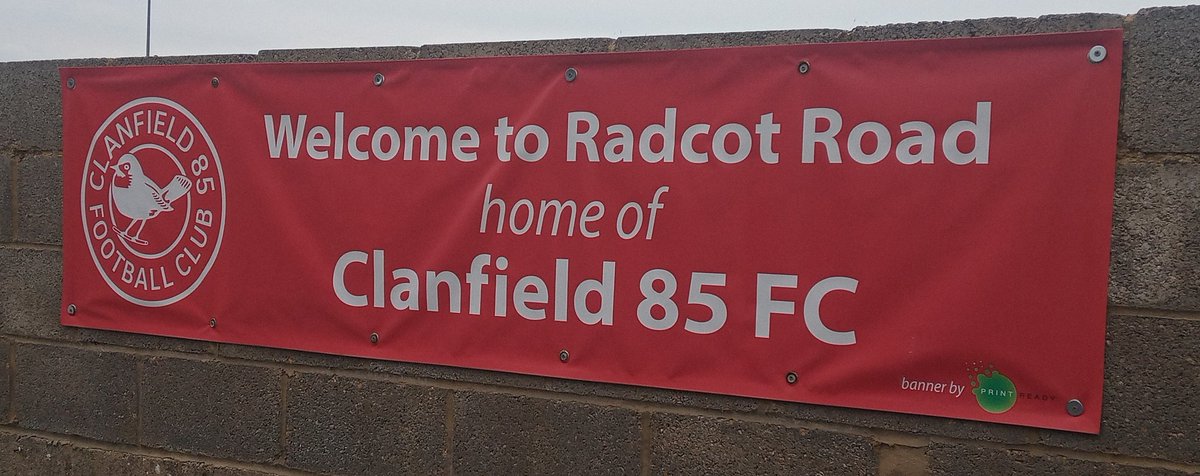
[153,202]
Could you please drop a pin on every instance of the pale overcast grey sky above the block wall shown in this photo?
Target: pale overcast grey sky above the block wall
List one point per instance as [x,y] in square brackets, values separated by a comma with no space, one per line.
[62,29]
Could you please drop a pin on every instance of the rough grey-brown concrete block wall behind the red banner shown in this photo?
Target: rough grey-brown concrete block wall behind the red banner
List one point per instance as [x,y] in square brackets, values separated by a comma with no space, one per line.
[94,402]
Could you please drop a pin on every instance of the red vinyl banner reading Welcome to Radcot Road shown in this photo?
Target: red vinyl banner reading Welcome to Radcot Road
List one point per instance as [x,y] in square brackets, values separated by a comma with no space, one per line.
[909,226]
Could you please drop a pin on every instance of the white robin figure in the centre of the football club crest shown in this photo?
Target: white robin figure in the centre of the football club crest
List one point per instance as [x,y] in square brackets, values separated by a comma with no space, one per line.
[140,198]
